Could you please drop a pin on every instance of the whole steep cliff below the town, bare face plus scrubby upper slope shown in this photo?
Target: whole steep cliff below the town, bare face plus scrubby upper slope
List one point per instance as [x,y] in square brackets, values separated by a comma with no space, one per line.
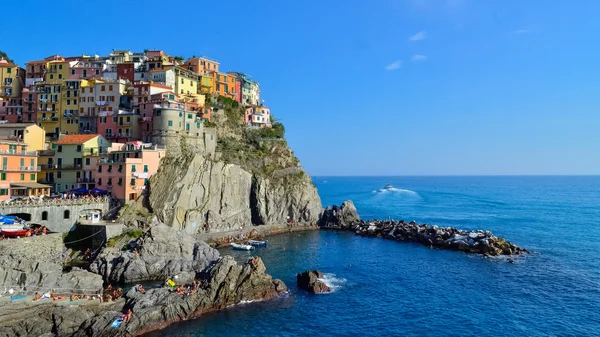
[253,179]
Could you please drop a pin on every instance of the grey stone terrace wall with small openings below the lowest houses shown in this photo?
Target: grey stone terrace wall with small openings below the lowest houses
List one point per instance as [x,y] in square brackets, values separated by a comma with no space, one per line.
[56,216]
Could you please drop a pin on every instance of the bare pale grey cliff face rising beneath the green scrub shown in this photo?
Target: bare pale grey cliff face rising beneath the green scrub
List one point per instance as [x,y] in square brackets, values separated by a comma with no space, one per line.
[190,192]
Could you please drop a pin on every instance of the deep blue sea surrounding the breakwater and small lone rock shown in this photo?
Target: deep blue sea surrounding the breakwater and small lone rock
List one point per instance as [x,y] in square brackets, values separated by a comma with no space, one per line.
[390,288]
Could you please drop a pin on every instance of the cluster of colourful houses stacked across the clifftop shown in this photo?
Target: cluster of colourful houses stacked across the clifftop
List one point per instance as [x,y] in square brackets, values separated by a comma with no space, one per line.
[100,125]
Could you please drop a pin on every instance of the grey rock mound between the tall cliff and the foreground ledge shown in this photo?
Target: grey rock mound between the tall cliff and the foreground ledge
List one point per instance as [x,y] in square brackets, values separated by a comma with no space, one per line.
[160,253]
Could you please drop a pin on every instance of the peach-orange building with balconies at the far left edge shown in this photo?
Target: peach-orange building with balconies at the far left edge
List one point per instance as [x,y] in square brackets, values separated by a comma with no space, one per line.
[18,171]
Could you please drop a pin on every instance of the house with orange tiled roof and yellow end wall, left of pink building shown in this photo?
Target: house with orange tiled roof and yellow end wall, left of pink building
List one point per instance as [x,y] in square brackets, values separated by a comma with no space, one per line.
[74,160]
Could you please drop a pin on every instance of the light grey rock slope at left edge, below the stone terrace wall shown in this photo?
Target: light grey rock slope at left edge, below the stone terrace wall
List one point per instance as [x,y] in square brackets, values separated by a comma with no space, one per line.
[36,264]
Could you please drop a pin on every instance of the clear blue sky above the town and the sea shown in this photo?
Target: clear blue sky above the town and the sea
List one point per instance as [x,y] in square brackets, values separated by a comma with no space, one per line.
[415,87]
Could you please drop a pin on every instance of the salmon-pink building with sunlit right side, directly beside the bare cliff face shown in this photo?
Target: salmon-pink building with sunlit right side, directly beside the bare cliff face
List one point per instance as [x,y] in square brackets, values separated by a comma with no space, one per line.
[125,171]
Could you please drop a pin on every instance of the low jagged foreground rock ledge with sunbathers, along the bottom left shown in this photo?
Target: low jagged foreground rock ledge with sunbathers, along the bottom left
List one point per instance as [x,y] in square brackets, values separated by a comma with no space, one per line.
[222,284]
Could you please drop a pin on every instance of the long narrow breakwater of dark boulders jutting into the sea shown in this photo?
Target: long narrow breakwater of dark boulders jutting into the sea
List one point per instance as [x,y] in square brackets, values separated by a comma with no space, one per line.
[345,217]
